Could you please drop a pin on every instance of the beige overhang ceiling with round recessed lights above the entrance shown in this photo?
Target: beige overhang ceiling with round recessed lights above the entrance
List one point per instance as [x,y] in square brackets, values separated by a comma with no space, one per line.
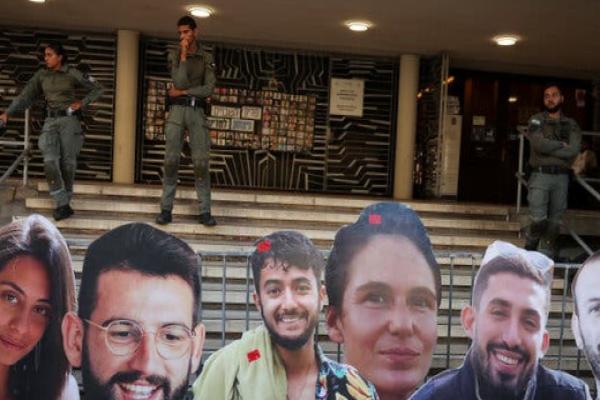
[558,37]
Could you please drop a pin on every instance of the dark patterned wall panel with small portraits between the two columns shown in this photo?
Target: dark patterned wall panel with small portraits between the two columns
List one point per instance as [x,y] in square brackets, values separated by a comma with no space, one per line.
[309,151]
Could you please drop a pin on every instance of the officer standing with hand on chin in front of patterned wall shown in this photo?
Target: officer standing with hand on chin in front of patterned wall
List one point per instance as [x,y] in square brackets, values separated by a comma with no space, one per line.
[193,76]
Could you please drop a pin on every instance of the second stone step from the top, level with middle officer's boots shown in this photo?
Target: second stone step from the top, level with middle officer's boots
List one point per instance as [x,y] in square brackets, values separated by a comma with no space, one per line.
[258,213]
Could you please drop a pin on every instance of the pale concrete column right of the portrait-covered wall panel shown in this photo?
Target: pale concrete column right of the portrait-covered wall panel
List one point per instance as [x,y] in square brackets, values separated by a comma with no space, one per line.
[406,127]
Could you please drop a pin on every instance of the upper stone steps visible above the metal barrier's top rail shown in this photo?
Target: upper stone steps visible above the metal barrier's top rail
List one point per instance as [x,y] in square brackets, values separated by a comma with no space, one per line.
[245,216]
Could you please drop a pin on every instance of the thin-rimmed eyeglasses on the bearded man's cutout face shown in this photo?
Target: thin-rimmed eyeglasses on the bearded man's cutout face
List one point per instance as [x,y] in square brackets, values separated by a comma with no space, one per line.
[123,337]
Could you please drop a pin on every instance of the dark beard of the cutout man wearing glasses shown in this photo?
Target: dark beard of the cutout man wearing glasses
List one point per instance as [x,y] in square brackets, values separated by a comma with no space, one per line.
[97,390]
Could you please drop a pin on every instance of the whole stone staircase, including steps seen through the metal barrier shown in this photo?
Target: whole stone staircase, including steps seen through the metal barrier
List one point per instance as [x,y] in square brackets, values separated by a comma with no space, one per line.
[459,234]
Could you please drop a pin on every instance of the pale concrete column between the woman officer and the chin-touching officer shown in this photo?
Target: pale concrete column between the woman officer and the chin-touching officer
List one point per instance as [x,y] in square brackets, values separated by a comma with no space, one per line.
[126,97]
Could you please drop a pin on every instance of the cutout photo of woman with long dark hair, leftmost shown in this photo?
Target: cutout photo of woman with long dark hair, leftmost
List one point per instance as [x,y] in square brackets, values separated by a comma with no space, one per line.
[36,291]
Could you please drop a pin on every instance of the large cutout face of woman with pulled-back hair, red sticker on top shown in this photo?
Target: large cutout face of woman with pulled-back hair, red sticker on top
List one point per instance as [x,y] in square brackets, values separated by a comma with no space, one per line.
[384,290]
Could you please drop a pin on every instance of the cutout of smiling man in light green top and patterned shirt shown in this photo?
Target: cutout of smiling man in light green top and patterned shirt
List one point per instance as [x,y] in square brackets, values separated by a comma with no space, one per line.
[280,359]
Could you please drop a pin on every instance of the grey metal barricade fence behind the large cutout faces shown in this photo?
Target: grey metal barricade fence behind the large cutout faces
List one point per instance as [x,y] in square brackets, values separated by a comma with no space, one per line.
[449,346]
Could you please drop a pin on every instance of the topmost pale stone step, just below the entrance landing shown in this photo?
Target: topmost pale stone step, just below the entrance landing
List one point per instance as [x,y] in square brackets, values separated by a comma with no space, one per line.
[281,198]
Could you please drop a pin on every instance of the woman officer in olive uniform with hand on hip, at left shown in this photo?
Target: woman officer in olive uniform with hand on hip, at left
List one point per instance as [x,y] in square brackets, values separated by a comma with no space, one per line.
[61,138]
